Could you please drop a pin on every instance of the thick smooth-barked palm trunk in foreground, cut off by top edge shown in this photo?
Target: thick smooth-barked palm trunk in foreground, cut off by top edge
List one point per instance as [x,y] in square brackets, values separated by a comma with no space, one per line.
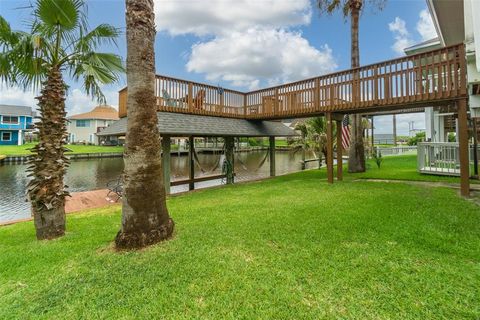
[145,218]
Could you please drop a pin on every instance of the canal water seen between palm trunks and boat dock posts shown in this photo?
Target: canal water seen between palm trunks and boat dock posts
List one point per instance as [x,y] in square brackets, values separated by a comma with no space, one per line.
[92,174]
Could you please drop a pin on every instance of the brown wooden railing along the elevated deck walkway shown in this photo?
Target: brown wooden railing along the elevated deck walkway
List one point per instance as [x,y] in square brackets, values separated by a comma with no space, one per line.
[413,80]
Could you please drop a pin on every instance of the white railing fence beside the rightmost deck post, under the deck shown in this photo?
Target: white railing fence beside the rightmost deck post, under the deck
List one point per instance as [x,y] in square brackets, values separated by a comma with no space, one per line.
[440,158]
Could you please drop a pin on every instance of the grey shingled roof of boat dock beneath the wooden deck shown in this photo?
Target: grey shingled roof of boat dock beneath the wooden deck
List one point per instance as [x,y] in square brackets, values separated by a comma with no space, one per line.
[177,124]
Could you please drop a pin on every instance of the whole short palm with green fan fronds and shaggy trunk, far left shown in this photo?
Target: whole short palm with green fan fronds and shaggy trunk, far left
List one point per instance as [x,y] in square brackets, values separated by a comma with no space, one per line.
[58,42]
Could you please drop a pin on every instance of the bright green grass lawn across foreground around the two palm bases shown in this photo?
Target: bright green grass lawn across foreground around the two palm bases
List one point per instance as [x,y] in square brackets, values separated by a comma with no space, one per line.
[292,247]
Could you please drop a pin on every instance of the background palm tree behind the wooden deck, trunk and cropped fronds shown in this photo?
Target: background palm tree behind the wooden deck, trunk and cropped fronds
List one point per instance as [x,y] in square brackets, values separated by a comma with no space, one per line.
[356,154]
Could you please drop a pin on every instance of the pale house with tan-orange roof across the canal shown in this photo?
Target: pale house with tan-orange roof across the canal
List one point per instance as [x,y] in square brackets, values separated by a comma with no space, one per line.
[82,128]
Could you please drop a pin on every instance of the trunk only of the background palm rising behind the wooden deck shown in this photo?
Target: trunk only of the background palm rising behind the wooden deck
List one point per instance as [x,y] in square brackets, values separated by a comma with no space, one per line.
[356,154]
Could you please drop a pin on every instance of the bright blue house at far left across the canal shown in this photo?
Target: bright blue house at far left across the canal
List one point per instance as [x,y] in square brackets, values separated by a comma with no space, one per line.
[14,122]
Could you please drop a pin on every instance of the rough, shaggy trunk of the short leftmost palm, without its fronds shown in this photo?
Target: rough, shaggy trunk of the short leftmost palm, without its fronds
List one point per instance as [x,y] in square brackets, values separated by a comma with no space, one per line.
[46,190]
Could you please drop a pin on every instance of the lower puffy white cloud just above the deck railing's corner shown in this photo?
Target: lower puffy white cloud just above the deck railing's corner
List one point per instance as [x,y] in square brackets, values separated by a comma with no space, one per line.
[246,58]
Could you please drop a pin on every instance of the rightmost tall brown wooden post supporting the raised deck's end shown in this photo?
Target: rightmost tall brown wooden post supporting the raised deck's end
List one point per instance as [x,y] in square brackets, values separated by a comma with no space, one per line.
[463,147]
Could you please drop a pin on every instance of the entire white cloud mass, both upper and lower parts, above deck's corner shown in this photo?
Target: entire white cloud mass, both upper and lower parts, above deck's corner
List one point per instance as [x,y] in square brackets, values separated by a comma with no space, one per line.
[246,42]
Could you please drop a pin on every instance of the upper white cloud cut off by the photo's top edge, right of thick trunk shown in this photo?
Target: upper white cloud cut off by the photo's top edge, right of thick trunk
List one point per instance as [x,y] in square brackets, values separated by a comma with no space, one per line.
[202,17]
